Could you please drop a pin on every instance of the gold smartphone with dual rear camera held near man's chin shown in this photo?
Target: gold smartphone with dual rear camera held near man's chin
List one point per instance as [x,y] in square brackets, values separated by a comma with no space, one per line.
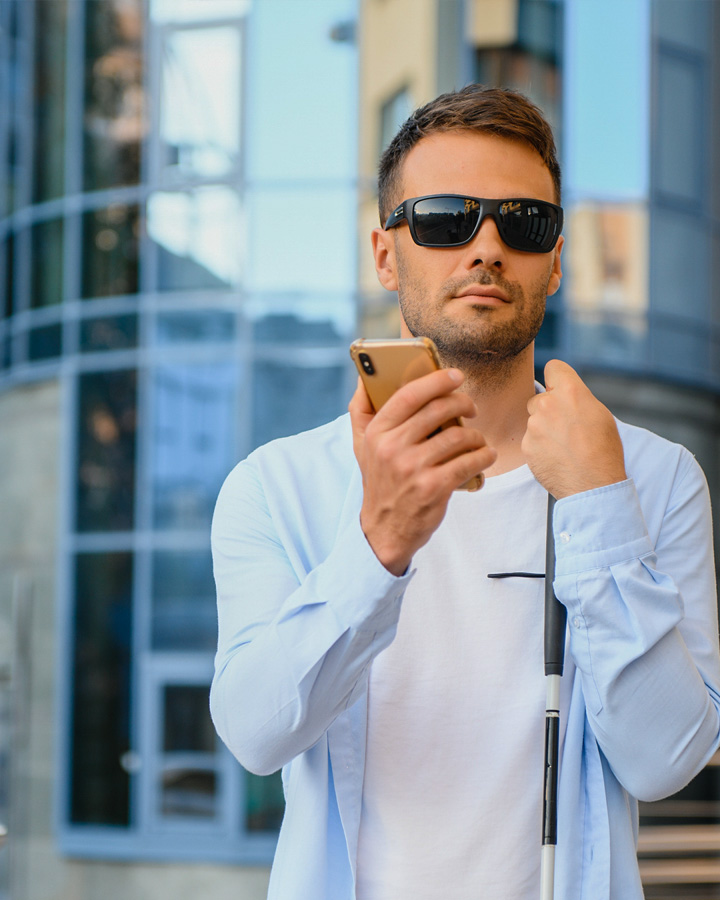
[386,365]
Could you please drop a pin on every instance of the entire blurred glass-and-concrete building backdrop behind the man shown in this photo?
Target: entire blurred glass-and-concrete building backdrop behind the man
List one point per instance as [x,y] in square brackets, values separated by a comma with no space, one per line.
[186,188]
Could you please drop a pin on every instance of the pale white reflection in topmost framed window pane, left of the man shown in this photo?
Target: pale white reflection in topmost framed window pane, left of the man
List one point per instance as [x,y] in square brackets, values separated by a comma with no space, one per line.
[199,106]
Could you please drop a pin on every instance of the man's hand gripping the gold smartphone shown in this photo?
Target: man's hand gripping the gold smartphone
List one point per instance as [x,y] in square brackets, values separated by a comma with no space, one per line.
[408,478]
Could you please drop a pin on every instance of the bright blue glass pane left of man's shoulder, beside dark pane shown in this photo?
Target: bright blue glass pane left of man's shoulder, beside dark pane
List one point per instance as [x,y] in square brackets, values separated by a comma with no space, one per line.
[193,431]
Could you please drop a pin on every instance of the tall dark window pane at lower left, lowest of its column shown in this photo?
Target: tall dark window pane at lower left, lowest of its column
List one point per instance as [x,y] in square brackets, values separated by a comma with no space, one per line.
[101,689]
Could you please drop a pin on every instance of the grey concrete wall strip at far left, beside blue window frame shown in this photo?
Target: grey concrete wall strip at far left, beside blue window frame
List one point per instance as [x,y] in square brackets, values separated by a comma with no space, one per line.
[29,450]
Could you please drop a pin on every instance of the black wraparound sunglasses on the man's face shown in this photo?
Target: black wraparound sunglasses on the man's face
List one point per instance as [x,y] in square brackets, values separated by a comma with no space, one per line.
[451,220]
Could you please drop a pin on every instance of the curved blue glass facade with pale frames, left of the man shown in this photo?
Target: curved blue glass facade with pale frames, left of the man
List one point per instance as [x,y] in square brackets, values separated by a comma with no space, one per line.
[171,167]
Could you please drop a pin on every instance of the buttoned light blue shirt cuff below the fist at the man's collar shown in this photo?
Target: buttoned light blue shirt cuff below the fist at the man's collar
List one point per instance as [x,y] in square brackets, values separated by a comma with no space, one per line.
[599,528]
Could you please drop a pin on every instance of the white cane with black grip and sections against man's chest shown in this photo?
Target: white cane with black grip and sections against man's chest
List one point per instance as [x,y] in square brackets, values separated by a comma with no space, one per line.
[555,619]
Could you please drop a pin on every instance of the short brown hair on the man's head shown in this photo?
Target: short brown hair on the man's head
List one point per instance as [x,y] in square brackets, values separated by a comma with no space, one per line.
[498,111]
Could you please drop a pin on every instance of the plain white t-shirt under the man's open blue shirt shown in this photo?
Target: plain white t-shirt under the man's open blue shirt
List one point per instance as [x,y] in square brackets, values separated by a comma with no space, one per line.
[452,795]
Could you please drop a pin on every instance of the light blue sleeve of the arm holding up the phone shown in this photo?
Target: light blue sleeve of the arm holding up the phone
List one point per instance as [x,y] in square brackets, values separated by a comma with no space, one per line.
[292,650]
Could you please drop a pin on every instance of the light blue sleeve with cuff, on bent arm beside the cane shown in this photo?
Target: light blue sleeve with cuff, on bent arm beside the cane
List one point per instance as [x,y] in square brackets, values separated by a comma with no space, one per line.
[643,629]
